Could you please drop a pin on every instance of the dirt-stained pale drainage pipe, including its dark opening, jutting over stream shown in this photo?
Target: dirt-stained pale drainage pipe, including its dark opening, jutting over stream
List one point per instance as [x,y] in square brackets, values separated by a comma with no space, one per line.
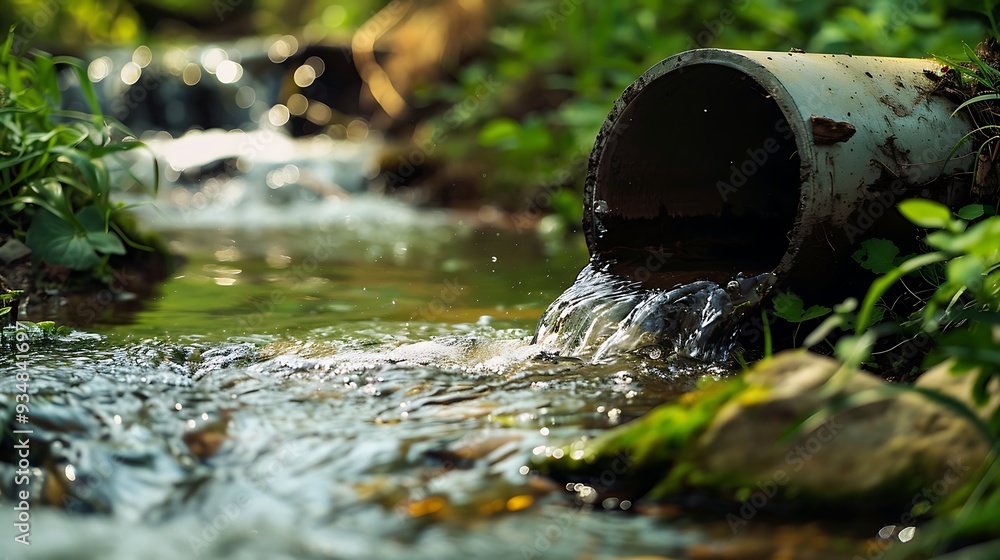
[716,162]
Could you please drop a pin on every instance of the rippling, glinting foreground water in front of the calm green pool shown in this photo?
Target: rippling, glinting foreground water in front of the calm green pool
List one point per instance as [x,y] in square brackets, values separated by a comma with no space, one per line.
[326,447]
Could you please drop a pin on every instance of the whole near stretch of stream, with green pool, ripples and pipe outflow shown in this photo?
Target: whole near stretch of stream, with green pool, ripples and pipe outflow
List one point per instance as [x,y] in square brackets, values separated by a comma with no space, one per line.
[353,378]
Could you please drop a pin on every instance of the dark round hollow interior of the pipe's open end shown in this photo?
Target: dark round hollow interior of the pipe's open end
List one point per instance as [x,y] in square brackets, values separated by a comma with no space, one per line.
[699,179]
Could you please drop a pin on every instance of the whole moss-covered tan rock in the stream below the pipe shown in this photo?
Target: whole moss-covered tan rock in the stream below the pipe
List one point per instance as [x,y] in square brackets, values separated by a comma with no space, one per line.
[879,446]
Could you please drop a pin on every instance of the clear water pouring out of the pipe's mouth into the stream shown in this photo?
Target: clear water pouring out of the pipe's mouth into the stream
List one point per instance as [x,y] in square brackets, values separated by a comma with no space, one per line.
[602,314]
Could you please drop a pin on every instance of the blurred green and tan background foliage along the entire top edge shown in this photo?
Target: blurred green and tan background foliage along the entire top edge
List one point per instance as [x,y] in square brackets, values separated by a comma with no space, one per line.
[506,97]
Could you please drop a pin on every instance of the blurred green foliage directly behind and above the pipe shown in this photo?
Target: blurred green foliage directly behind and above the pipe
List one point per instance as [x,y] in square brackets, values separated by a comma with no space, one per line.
[562,64]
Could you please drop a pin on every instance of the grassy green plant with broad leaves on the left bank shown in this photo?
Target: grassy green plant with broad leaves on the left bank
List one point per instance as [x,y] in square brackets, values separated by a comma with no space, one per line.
[55,189]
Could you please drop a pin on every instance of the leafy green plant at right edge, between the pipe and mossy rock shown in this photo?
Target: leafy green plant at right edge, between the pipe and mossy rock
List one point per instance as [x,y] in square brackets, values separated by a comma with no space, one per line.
[964,306]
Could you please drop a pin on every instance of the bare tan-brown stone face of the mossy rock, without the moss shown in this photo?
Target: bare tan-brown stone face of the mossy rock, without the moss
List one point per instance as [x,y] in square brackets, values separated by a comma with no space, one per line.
[881,442]
